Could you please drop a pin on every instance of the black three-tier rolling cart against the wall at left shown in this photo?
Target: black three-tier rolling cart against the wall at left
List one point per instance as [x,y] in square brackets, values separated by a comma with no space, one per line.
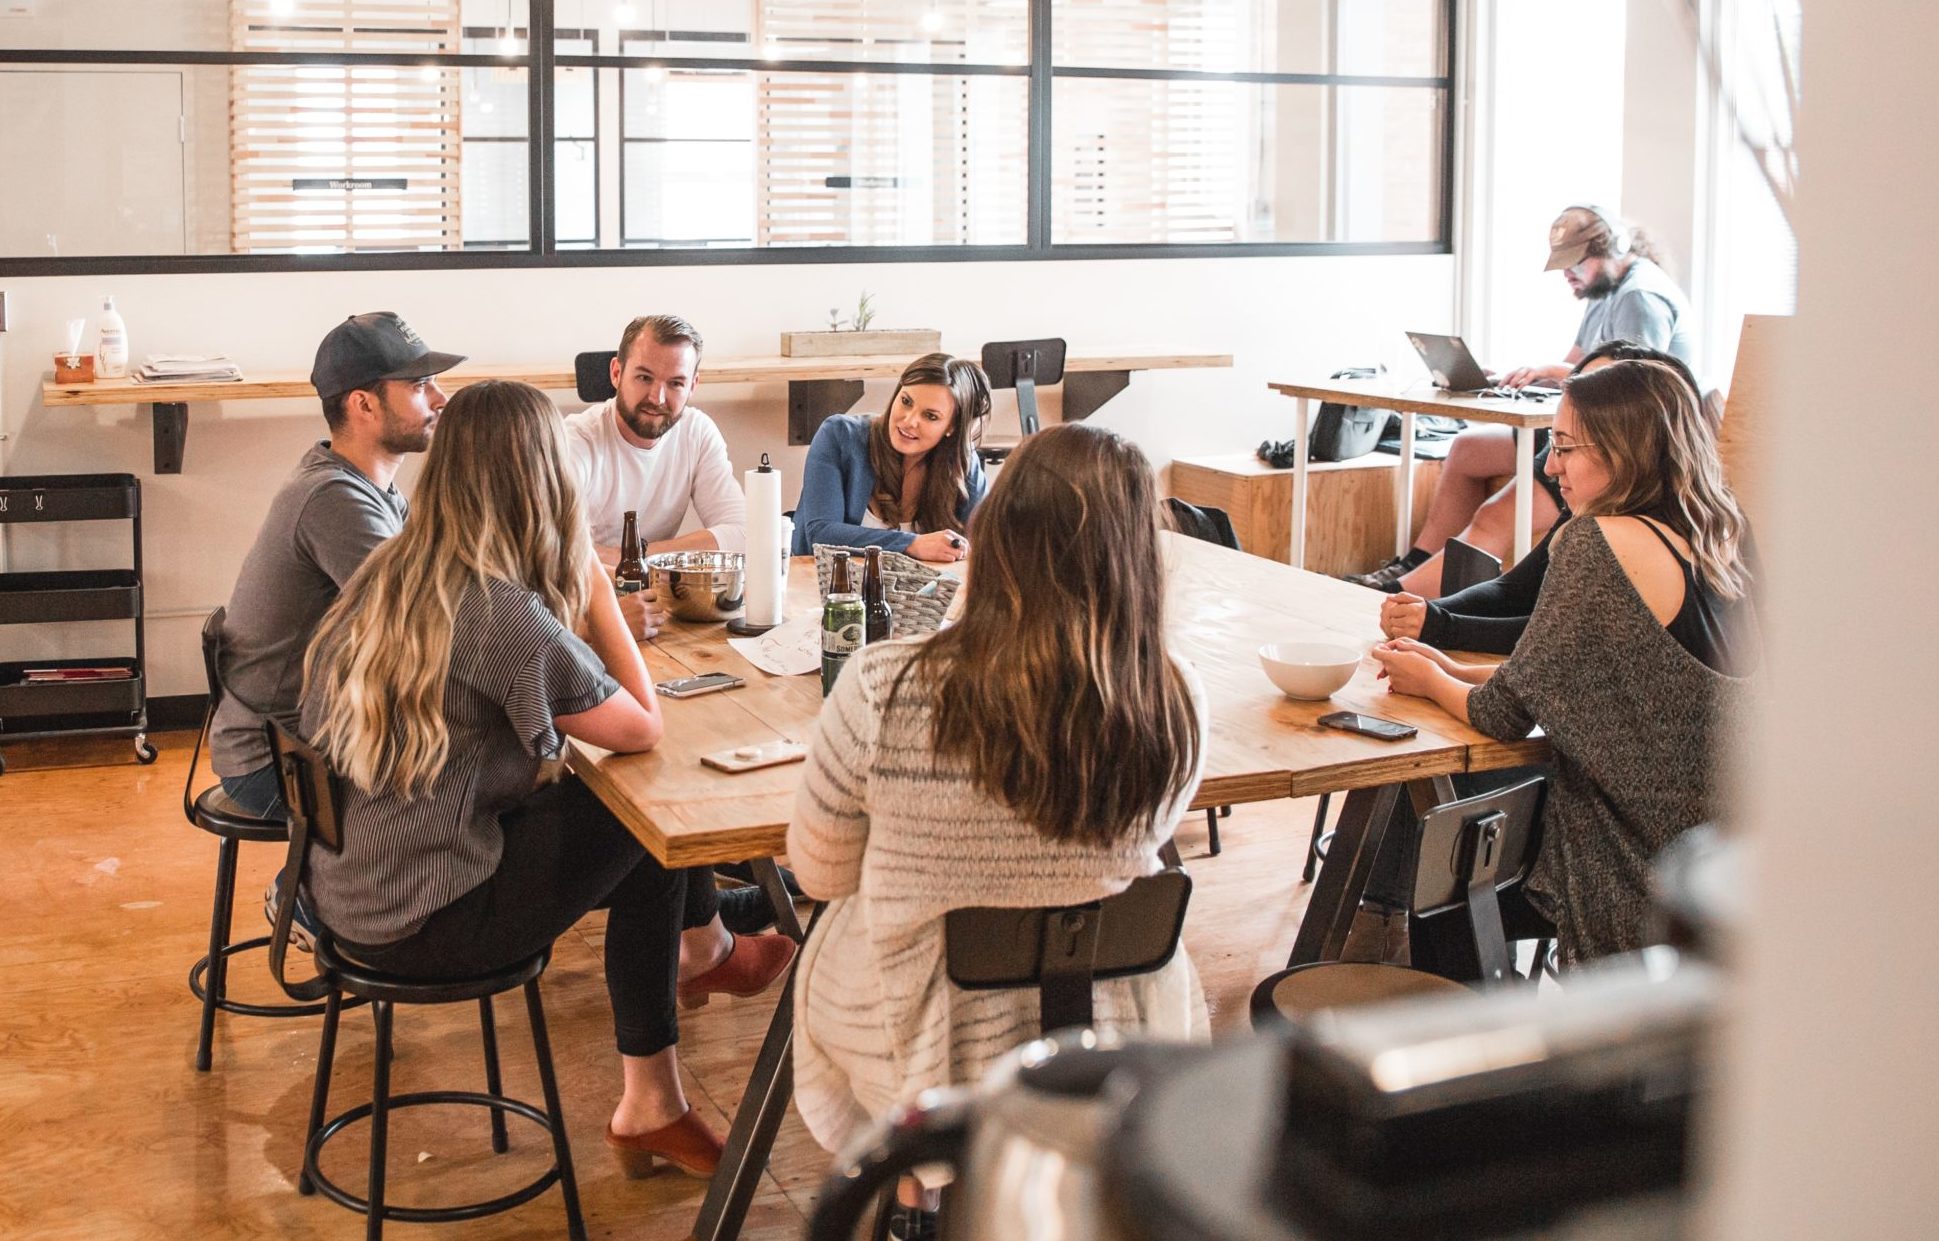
[75,697]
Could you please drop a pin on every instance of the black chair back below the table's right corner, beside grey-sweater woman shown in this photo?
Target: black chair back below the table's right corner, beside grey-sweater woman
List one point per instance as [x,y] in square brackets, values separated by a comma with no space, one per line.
[1473,850]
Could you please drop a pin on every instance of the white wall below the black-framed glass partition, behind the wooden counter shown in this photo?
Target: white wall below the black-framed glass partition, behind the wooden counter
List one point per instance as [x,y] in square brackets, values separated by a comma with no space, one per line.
[1281,317]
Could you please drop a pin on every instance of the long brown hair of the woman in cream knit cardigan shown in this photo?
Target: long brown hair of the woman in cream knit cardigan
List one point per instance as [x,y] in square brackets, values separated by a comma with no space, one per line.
[1056,685]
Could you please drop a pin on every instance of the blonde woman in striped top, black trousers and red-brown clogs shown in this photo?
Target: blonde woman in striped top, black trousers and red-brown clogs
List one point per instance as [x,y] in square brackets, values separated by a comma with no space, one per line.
[439,684]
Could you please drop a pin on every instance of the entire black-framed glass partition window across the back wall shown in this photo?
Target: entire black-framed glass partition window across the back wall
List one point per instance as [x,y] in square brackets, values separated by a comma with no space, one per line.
[856,127]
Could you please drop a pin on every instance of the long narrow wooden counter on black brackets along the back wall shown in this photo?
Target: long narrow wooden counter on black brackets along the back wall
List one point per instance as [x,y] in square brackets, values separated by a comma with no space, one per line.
[817,387]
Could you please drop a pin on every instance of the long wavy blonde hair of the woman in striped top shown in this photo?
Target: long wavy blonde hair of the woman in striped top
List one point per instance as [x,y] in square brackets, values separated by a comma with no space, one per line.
[495,503]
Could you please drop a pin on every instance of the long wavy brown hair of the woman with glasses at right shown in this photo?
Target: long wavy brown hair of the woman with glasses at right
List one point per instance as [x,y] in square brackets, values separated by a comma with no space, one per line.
[1651,430]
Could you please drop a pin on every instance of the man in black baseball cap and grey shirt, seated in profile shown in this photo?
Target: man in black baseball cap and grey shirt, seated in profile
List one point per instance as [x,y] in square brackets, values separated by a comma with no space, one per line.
[381,400]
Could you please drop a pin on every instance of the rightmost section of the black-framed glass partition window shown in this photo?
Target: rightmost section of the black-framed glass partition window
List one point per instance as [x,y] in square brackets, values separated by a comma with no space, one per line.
[1250,121]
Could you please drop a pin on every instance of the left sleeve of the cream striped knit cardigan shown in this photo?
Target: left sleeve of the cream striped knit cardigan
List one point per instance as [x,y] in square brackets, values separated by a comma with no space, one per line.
[831,827]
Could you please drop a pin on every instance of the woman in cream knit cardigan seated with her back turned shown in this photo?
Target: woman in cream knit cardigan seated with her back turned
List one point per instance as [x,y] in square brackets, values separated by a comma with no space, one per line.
[1038,753]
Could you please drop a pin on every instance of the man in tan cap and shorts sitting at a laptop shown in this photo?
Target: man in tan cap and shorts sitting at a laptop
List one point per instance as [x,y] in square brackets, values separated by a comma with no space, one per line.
[1628,298]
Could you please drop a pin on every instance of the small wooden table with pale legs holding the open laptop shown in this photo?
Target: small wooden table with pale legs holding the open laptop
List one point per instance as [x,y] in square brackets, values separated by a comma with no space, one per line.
[1411,400]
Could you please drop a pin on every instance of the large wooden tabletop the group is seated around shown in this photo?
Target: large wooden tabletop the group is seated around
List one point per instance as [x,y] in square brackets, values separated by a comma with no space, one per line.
[1223,608]
